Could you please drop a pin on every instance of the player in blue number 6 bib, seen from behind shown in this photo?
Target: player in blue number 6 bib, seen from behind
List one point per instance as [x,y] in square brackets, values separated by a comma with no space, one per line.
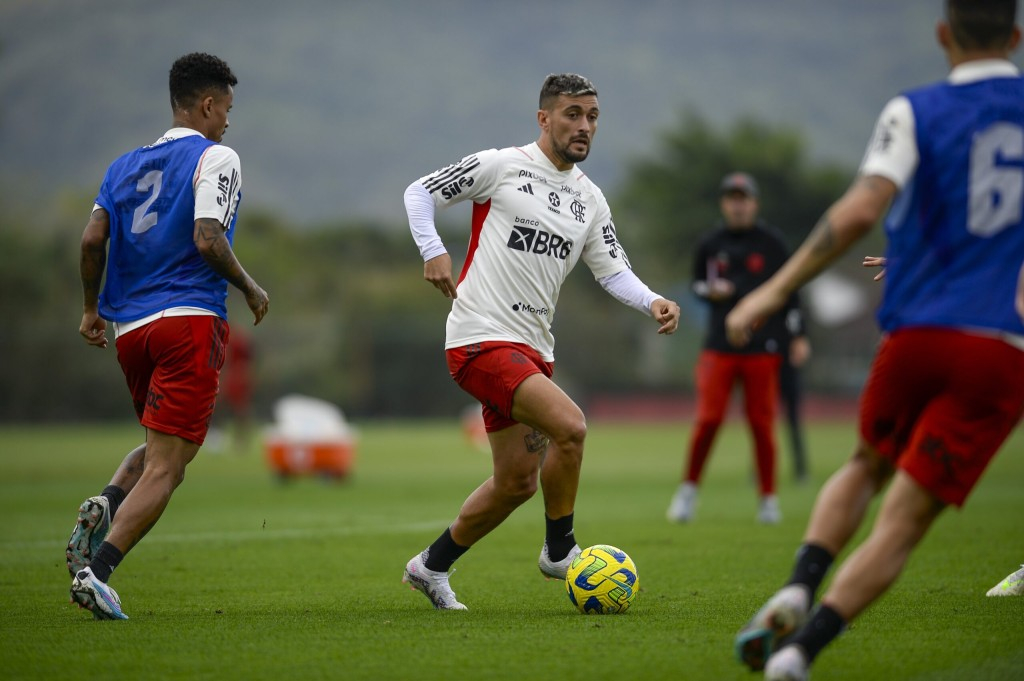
[946,389]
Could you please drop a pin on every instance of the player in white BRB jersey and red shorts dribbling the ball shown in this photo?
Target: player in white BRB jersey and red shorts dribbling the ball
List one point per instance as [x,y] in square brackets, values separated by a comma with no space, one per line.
[535,217]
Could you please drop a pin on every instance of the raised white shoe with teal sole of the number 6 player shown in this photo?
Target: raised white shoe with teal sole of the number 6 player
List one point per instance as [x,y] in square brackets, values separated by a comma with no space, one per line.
[782,616]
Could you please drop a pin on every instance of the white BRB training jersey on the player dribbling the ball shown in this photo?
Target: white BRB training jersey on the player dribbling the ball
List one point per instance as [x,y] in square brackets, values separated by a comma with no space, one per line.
[531,225]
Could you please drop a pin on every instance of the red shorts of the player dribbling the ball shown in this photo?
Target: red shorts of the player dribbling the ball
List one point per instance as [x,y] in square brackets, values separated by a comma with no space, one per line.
[491,372]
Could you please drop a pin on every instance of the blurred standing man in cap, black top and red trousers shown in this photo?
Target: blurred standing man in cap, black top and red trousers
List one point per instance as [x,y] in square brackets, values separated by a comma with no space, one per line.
[740,256]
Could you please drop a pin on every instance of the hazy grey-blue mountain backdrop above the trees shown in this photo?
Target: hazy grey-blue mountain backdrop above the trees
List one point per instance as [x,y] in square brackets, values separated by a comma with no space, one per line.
[342,105]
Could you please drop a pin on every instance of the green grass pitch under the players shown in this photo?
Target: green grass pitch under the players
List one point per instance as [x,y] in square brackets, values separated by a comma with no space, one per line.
[246,578]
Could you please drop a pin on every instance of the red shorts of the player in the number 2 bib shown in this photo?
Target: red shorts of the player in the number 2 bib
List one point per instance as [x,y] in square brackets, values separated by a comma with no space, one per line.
[173,366]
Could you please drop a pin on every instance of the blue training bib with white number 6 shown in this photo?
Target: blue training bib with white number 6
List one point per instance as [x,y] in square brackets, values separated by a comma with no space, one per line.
[956,233]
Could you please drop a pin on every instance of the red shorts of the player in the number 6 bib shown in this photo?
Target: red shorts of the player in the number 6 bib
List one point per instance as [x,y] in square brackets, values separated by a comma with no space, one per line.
[940,404]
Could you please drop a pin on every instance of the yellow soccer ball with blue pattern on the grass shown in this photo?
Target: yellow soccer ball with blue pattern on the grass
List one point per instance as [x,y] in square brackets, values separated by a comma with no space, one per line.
[603,580]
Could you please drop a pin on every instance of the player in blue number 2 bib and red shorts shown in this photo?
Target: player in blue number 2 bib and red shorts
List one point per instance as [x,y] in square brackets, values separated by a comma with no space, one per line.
[162,231]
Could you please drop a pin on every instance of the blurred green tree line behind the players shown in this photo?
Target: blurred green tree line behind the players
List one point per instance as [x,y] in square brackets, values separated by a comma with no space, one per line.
[353,322]
